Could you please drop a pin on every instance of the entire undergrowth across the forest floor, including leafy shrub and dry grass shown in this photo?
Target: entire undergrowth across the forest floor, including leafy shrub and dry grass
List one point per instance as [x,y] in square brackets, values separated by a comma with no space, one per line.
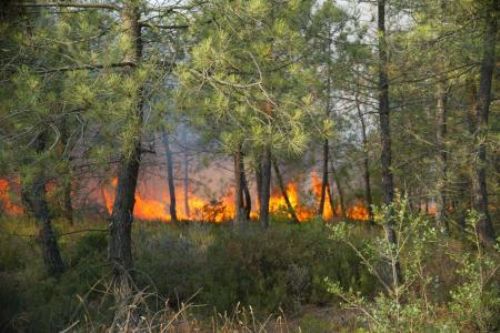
[196,277]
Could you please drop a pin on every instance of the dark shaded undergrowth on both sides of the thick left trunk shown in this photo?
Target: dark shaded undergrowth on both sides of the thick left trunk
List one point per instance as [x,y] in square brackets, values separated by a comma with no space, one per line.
[220,268]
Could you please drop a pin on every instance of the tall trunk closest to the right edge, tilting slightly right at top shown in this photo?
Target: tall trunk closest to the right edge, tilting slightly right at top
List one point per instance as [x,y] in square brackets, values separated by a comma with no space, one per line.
[484,226]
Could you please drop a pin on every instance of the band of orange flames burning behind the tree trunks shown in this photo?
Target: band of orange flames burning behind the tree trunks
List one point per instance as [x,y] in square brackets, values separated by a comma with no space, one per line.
[194,201]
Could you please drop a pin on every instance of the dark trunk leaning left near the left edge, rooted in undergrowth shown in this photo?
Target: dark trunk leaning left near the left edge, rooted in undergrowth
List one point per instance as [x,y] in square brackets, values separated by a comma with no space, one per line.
[35,197]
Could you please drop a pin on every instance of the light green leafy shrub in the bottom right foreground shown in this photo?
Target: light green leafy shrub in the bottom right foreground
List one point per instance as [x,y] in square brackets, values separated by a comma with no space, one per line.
[413,306]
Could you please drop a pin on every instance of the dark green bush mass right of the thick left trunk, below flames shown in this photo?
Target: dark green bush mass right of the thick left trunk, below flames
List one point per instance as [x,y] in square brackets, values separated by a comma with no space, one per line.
[283,266]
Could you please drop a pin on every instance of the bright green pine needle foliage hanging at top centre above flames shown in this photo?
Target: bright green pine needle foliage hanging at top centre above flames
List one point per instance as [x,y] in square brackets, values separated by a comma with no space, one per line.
[250,85]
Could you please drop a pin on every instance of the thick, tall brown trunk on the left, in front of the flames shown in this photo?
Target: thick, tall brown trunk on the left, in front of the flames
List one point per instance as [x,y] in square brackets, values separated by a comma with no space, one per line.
[120,243]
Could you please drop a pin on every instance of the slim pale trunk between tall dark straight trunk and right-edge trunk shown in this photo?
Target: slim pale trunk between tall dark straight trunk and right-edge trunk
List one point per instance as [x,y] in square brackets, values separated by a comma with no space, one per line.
[441,120]
